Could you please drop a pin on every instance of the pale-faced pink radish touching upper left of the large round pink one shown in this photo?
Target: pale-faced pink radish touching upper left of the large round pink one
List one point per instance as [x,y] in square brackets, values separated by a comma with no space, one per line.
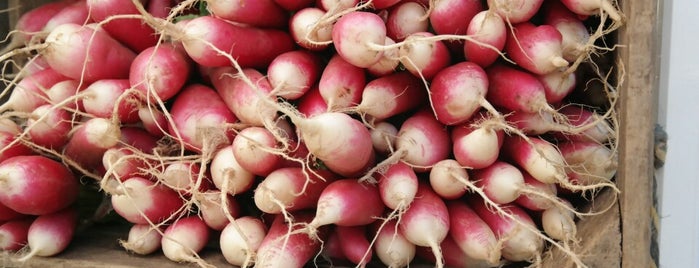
[423,57]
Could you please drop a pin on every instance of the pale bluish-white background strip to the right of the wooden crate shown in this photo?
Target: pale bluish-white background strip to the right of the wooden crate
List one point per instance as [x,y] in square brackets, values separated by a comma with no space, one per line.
[678,187]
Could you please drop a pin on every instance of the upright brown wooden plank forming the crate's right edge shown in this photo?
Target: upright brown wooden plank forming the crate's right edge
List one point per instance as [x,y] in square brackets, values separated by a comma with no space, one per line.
[637,114]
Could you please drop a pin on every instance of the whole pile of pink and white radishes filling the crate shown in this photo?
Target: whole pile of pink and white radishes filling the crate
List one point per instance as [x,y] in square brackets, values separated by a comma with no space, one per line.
[293,132]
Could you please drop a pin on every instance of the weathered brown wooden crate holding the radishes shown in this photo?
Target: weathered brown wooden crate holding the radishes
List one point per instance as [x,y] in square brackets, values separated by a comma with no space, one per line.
[621,237]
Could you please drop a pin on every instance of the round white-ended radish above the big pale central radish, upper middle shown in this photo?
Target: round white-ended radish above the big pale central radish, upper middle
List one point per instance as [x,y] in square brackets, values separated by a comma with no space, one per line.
[293,73]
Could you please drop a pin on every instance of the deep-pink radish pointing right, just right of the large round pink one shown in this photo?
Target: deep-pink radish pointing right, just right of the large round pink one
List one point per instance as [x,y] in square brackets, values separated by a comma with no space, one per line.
[516,90]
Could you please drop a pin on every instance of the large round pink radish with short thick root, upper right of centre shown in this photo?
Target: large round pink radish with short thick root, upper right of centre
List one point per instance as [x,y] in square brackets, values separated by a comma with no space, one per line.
[454,99]
